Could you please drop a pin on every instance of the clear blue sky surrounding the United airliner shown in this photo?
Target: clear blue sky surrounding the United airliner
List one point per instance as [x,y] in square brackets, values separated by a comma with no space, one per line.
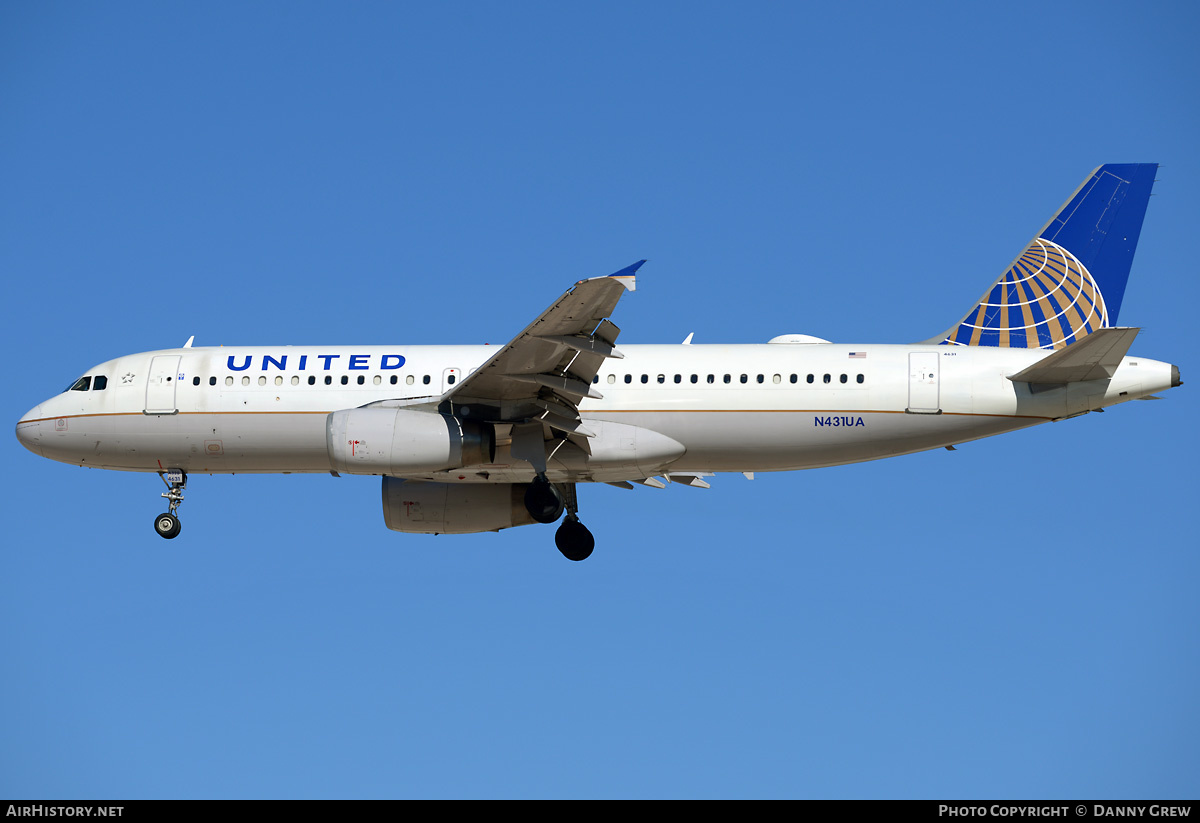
[1013,620]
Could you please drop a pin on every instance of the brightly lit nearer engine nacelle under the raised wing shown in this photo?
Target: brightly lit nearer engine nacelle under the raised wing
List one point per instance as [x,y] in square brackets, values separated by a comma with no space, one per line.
[382,441]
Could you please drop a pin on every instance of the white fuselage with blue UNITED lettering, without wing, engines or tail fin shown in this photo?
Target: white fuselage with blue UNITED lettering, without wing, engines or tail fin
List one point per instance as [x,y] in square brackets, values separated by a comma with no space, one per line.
[734,409]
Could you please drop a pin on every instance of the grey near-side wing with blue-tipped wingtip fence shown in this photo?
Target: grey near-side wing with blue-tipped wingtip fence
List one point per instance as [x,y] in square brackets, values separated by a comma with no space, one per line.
[548,370]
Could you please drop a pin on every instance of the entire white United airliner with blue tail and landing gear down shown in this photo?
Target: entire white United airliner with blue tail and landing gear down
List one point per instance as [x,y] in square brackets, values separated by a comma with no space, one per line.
[478,440]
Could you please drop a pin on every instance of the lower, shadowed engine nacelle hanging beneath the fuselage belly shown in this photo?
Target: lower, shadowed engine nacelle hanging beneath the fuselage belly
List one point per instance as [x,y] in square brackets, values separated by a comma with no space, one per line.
[428,508]
